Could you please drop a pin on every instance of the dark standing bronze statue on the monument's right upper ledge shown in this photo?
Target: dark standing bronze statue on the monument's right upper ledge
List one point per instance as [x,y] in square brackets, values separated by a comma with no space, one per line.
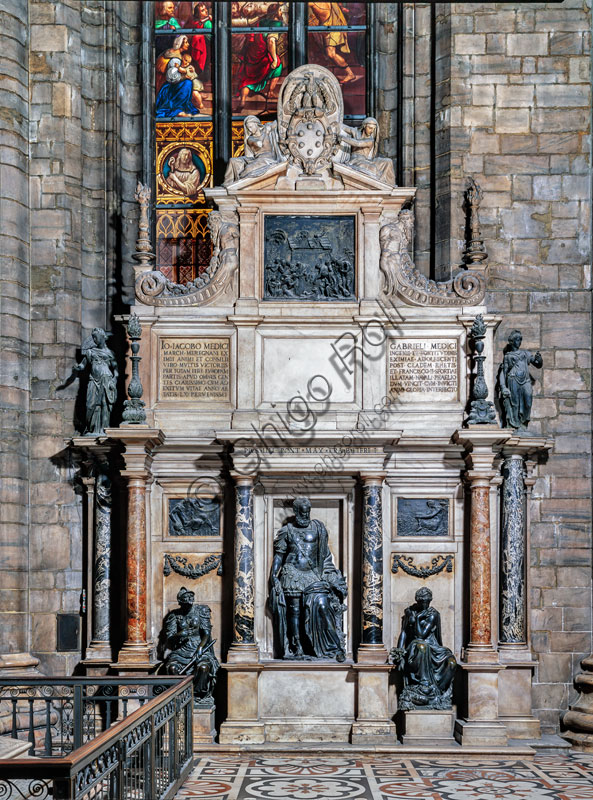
[515,384]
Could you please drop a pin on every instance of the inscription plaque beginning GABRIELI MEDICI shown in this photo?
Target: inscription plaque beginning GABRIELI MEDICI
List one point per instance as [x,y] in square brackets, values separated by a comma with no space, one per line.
[423,369]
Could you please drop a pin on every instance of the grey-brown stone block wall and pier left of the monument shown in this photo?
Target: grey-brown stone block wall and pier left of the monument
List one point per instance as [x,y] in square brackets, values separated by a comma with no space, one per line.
[71,131]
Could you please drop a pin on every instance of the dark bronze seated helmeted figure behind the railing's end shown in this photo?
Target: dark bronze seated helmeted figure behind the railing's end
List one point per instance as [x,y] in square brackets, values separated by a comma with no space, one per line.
[187,634]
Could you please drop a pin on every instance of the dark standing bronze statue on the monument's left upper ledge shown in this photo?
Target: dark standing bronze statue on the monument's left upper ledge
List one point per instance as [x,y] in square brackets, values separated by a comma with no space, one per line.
[102,387]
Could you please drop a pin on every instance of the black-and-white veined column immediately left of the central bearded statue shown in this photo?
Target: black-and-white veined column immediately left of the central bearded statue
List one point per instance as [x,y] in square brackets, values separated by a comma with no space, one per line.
[244,647]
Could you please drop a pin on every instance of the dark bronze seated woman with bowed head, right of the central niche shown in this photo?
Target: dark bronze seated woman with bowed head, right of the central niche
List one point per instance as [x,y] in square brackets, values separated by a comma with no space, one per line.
[428,667]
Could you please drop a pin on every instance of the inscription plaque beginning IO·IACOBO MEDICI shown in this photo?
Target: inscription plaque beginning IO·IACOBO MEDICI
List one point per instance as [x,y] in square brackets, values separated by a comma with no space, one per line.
[192,368]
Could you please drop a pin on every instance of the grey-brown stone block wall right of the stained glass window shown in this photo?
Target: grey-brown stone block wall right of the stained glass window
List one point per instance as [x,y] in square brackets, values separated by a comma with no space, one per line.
[520,116]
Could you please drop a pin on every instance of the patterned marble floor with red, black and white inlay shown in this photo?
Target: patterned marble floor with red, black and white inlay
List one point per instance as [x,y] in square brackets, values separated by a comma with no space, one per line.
[387,777]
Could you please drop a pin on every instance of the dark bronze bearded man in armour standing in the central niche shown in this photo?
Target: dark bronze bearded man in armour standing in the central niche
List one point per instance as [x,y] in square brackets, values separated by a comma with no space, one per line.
[306,590]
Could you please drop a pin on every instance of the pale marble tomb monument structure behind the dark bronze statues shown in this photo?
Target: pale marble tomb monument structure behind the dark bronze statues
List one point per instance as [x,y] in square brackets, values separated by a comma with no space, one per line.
[313,359]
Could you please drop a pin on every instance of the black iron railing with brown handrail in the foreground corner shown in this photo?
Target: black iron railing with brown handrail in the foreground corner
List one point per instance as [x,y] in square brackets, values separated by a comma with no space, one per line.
[131,741]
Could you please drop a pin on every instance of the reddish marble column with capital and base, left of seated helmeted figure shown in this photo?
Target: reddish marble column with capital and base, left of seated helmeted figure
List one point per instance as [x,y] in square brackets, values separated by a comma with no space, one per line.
[137,652]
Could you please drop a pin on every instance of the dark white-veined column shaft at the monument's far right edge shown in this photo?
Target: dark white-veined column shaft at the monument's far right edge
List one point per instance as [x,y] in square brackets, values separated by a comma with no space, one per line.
[513,617]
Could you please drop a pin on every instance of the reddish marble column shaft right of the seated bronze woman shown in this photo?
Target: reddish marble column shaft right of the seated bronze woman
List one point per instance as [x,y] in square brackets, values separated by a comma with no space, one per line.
[480,575]
